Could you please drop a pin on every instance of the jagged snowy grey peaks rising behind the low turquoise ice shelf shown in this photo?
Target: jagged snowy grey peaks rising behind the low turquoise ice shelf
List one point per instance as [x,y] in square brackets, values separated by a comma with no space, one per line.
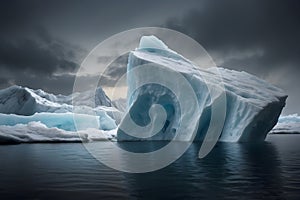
[25,101]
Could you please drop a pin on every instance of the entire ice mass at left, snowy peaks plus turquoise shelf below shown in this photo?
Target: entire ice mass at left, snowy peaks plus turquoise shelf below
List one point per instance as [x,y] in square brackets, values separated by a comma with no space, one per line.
[28,115]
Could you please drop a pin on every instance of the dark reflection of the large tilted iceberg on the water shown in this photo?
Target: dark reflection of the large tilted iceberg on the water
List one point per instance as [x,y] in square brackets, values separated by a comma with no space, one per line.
[251,171]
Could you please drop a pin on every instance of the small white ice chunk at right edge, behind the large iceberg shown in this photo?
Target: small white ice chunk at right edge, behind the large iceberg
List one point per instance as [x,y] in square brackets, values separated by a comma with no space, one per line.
[289,124]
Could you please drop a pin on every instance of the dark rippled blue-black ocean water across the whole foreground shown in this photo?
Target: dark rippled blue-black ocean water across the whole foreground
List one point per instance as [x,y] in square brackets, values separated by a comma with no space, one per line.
[270,170]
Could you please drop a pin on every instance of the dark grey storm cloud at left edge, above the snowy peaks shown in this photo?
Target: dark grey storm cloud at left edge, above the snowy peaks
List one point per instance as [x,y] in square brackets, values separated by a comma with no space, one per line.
[35,56]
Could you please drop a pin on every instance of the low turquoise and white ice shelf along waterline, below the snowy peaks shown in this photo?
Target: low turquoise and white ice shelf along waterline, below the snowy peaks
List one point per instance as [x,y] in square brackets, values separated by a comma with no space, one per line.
[55,127]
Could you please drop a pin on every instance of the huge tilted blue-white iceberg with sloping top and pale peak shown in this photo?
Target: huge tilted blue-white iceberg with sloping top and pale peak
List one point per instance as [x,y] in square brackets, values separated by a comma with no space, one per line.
[252,105]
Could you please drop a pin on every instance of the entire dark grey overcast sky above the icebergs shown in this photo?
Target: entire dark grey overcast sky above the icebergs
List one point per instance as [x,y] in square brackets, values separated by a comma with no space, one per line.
[43,43]
